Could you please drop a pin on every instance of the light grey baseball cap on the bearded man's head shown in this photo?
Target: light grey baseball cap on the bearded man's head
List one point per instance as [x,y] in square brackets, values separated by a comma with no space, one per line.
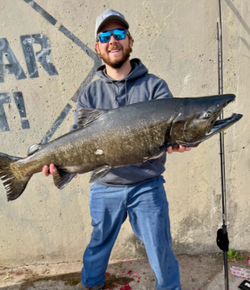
[108,16]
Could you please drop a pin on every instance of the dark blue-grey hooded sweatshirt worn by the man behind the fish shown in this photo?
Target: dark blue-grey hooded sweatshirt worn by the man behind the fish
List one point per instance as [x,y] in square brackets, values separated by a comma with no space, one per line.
[106,93]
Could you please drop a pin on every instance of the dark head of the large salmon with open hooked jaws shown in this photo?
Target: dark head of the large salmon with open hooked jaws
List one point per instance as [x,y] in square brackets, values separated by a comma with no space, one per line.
[199,119]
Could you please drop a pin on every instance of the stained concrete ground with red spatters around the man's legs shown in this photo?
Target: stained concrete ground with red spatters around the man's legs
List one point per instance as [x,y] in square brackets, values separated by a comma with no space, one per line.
[198,272]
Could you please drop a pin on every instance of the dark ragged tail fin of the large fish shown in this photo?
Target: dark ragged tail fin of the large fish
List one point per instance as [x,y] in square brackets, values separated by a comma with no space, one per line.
[14,186]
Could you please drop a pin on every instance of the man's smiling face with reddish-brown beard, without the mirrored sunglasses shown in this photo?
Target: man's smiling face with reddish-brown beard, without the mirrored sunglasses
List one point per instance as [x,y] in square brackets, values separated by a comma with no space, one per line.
[115,52]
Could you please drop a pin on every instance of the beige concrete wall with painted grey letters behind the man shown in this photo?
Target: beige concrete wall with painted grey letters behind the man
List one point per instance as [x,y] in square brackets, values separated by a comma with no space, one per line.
[47,56]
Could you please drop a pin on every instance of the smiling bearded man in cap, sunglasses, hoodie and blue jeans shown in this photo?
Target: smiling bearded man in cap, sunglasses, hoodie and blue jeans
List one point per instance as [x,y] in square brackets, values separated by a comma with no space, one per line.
[135,190]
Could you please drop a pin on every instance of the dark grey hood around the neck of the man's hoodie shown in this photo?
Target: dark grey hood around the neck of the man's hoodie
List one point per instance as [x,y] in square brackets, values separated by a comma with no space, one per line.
[138,69]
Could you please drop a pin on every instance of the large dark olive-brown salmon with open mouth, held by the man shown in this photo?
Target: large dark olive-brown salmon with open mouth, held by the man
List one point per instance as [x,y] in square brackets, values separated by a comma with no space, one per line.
[127,135]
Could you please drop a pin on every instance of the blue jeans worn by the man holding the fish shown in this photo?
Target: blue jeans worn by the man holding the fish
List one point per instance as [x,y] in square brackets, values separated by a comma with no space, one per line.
[147,207]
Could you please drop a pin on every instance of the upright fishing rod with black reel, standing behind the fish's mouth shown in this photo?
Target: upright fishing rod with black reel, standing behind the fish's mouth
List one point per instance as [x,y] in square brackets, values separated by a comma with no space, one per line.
[222,235]
